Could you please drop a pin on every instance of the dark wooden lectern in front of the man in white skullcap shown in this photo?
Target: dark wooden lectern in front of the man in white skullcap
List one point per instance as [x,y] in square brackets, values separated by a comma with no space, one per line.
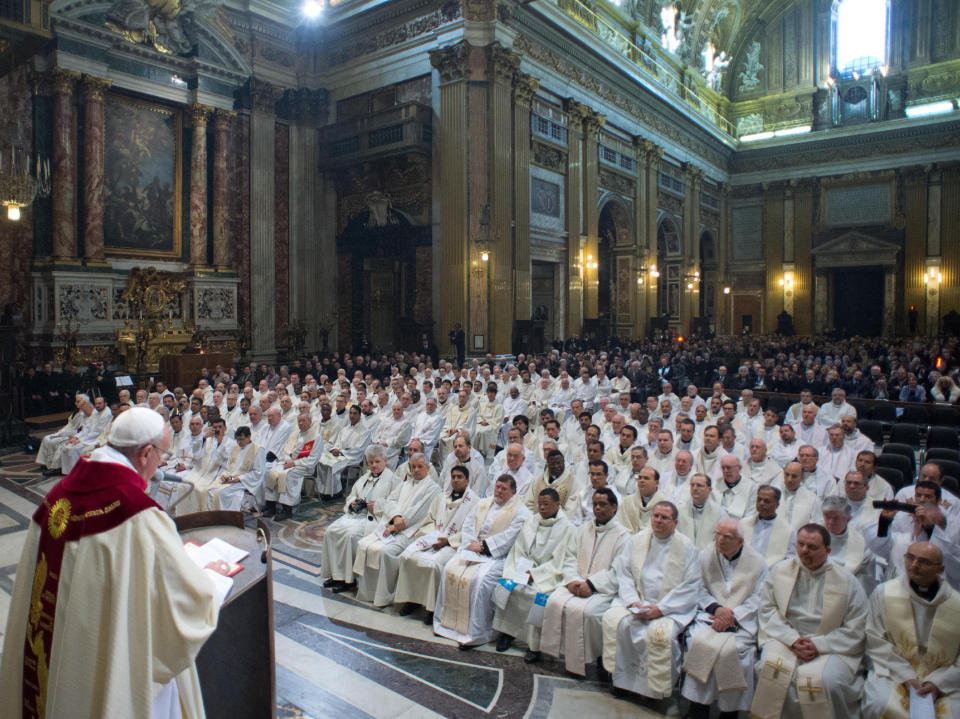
[236,665]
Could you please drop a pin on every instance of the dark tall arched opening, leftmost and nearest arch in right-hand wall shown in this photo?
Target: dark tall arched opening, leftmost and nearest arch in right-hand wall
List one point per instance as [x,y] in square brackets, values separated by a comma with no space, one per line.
[614,270]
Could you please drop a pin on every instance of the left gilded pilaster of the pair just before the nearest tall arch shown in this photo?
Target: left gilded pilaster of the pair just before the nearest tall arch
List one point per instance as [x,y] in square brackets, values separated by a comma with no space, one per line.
[576,113]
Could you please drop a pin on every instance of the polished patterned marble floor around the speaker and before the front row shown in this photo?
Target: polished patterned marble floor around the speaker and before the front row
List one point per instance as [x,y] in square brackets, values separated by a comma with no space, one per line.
[339,657]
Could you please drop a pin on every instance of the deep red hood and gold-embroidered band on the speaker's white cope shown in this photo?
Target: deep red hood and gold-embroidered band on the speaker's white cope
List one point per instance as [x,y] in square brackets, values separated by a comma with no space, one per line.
[95,497]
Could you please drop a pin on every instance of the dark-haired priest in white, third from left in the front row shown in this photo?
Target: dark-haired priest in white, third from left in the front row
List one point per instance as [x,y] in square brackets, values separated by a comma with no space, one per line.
[434,544]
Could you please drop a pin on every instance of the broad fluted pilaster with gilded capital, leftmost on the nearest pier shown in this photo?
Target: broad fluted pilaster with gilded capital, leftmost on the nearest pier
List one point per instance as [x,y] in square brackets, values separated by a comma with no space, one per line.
[450,141]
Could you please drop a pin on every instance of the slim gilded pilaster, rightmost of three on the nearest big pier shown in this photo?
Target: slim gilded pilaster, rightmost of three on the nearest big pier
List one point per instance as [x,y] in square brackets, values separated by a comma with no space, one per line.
[524,88]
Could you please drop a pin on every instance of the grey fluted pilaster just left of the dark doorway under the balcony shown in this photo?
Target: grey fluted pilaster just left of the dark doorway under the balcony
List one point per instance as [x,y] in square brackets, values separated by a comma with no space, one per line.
[309,270]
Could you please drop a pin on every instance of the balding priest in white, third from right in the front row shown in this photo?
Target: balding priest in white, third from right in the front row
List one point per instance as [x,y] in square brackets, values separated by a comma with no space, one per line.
[721,648]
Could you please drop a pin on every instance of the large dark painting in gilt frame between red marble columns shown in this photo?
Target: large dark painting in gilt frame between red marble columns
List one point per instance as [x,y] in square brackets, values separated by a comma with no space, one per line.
[142,173]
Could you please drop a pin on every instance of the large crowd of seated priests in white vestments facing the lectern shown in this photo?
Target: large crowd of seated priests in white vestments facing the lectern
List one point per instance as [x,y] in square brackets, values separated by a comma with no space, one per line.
[700,546]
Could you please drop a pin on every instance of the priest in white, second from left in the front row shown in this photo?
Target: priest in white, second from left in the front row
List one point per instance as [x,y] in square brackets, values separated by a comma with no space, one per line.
[377,563]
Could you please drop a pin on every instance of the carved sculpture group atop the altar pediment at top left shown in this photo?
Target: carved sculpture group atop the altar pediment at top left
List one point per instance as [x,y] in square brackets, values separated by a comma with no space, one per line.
[170,26]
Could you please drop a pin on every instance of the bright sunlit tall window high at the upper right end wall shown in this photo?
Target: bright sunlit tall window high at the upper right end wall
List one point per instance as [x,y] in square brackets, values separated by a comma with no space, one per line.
[860,34]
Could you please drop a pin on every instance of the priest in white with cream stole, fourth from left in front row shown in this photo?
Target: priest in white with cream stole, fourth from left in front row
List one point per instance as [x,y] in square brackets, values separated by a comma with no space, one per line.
[464,610]
